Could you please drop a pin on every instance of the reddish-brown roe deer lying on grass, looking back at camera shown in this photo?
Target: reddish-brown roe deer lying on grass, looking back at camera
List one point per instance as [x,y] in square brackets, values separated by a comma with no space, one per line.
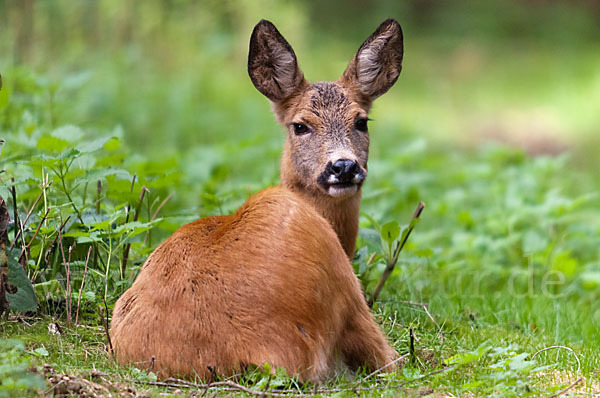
[273,282]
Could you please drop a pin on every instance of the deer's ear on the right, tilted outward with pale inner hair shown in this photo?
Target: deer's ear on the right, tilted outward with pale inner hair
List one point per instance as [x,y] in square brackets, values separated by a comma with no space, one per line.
[378,62]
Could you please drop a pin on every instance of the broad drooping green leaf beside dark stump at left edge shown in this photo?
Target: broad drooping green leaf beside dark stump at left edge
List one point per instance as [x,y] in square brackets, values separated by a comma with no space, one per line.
[25,298]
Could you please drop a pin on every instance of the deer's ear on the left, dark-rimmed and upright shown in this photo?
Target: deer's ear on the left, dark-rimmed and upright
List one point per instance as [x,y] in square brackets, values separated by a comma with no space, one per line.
[272,64]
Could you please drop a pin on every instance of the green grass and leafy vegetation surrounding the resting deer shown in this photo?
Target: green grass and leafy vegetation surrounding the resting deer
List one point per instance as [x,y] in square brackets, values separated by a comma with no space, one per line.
[506,256]
